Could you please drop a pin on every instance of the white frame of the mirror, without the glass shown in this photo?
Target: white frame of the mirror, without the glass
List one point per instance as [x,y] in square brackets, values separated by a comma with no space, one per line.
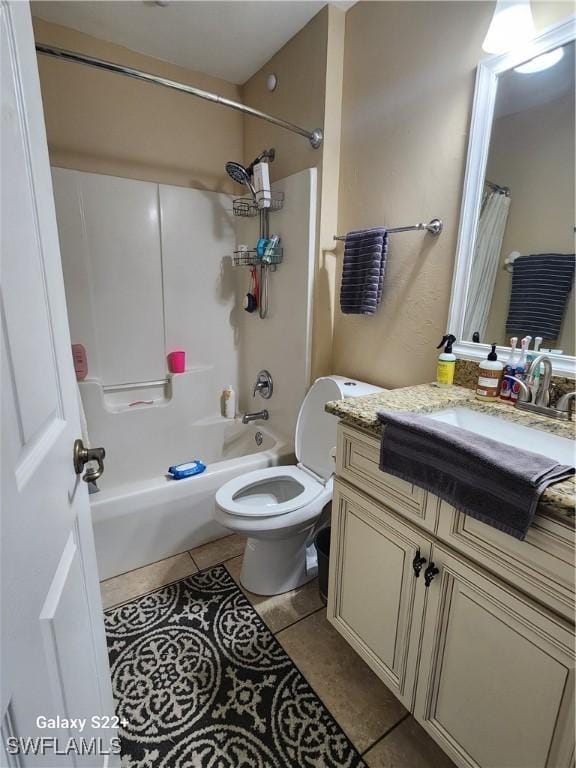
[487,77]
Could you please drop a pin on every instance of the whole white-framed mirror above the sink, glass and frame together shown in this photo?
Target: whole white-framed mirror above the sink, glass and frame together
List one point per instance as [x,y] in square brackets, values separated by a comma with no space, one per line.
[515,264]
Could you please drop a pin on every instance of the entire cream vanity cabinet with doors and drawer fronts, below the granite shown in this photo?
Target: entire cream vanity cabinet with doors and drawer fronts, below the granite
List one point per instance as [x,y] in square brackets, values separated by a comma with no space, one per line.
[484,660]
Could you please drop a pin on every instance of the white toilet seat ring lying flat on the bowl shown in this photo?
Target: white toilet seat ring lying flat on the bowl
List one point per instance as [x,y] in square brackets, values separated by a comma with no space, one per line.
[269,492]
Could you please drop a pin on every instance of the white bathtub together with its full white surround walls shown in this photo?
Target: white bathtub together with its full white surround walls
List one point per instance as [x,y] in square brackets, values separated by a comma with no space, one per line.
[148,270]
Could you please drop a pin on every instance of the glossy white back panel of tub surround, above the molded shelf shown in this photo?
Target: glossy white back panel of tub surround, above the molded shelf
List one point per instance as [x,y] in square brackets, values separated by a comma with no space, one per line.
[146,273]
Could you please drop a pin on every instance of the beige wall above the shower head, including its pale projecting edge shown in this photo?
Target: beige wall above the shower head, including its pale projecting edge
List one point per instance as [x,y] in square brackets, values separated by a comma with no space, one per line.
[309,93]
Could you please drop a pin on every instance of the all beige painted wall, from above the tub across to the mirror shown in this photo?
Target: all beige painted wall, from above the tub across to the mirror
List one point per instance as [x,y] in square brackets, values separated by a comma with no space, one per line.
[403,112]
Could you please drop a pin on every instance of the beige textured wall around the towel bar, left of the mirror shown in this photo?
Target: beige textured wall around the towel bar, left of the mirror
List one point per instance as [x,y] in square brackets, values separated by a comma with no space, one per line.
[408,85]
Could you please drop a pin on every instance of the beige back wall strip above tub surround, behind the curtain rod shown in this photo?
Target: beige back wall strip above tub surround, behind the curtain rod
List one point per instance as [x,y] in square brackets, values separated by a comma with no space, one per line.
[102,122]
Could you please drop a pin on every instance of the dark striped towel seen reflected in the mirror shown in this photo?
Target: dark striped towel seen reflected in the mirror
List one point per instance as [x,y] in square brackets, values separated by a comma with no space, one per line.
[541,285]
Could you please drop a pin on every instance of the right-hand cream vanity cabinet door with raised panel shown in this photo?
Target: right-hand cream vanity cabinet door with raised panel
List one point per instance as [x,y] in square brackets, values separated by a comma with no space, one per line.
[496,679]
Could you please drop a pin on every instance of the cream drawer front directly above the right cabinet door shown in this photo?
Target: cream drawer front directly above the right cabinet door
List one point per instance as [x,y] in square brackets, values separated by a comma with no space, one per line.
[542,565]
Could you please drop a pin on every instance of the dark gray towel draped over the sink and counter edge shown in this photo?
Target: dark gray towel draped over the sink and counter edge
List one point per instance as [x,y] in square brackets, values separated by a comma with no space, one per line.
[495,483]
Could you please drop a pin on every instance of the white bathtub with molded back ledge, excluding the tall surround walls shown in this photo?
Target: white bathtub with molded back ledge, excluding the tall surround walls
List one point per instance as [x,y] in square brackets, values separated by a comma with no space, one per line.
[140,515]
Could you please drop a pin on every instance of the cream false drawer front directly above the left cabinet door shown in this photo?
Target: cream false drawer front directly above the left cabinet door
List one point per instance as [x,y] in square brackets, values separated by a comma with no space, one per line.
[358,462]
